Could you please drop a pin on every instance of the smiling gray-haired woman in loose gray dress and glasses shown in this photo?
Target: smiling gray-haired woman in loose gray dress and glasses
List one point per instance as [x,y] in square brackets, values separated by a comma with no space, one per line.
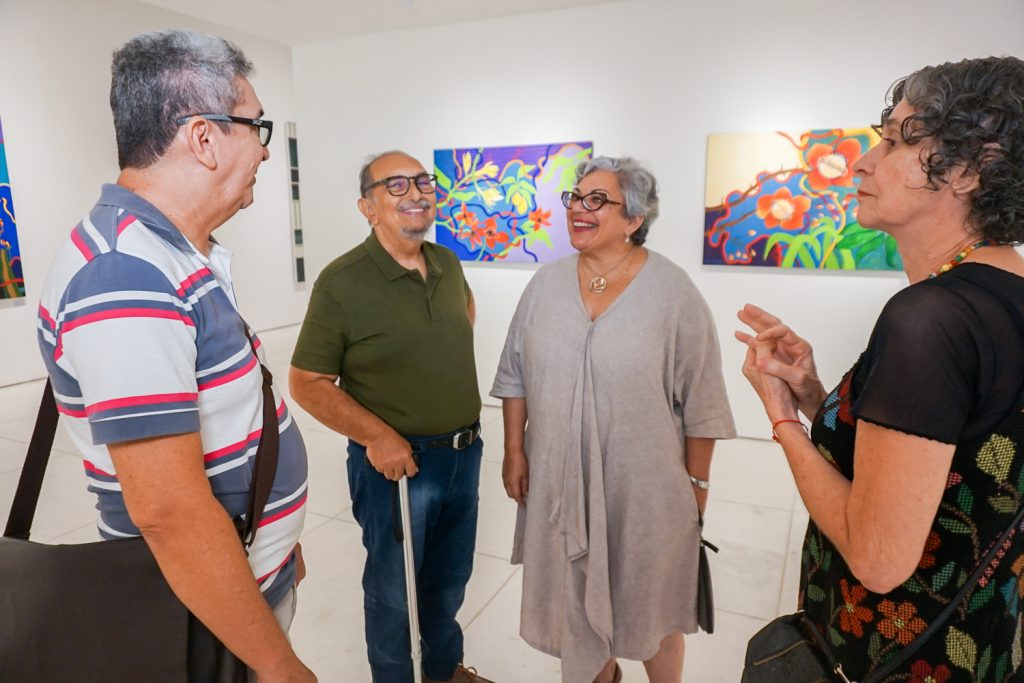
[615,353]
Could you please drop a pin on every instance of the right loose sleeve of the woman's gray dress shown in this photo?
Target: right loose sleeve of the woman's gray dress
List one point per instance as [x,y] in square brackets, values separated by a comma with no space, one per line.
[700,389]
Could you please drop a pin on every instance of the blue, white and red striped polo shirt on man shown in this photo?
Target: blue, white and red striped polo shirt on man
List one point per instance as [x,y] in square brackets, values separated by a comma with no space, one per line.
[142,338]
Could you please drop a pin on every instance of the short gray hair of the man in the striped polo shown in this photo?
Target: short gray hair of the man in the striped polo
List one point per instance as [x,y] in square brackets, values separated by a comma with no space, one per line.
[159,77]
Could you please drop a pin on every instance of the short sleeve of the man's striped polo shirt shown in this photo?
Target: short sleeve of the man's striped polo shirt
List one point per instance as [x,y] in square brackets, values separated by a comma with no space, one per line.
[130,340]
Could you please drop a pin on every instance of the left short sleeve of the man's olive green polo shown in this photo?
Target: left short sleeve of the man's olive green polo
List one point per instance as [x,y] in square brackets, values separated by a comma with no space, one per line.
[323,339]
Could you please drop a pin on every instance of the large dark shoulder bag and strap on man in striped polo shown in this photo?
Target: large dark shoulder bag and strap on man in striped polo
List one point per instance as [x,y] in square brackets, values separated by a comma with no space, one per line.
[103,612]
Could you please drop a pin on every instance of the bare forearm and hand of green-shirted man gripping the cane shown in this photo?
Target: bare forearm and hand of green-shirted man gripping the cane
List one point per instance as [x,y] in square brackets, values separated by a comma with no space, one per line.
[320,396]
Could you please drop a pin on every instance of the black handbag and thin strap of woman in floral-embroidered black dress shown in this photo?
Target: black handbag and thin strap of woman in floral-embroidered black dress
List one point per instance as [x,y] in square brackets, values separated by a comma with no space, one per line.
[790,650]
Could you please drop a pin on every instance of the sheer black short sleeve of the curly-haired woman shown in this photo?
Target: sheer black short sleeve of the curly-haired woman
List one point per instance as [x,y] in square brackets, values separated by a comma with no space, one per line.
[920,374]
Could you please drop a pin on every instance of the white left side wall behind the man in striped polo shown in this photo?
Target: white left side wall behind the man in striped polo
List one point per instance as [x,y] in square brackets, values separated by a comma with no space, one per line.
[61,148]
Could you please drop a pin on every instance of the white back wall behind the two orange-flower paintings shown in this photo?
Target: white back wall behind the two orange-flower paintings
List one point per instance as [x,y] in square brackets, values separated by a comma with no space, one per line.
[647,78]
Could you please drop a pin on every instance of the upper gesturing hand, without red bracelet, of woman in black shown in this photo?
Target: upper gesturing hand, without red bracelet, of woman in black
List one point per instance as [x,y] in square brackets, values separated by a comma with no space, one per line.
[787,357]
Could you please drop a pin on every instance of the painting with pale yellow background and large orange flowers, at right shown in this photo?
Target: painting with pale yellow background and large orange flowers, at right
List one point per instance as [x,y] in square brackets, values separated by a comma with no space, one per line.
[790,200]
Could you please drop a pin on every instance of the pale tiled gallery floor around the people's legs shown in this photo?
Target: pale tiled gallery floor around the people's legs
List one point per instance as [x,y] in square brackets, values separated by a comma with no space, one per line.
[754,517]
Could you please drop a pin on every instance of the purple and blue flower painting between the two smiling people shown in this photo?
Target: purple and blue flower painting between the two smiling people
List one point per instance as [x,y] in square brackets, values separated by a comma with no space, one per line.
[502,204]
